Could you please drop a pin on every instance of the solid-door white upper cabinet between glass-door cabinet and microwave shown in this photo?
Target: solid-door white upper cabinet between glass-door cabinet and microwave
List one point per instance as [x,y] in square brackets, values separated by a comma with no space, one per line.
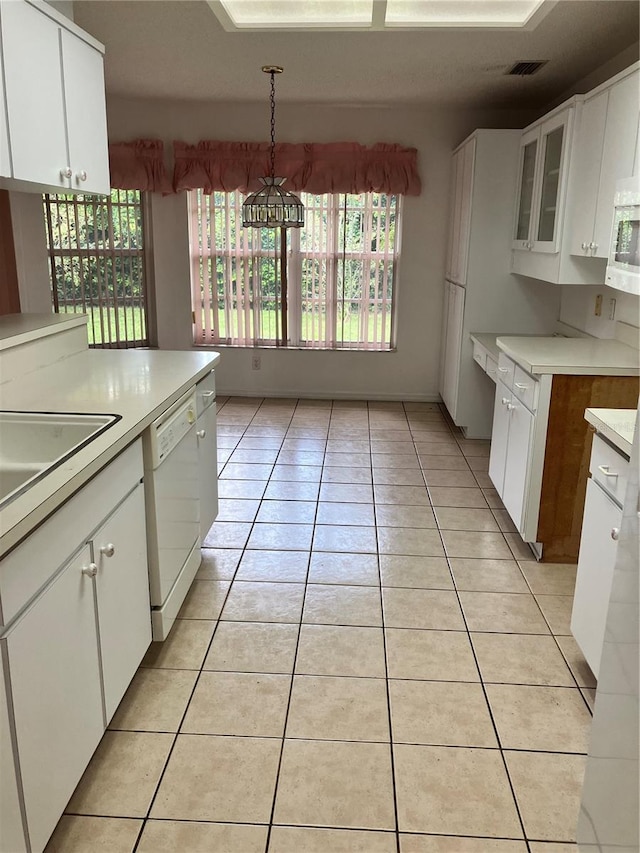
[605,153]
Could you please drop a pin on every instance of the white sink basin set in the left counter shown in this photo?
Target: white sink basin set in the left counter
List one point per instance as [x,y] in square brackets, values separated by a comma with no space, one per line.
[34,443]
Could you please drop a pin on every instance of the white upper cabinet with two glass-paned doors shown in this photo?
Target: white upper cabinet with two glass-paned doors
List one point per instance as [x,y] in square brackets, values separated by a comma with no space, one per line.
[543,178]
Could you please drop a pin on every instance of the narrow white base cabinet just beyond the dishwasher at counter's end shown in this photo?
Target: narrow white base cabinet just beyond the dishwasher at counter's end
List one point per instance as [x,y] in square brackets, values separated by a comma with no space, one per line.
[207,452]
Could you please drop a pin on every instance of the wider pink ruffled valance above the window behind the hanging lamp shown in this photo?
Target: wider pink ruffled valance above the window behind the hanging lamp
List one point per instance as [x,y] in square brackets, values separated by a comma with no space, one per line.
[334,167]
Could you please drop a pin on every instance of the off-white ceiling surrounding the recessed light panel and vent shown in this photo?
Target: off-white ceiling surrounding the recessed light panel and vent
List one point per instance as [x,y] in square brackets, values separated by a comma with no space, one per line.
[178,49]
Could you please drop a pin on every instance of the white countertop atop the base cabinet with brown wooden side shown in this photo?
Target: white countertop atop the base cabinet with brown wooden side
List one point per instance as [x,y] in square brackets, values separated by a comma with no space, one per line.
[574,356]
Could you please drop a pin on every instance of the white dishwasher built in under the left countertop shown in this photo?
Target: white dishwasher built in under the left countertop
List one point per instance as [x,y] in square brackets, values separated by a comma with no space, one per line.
[172,493]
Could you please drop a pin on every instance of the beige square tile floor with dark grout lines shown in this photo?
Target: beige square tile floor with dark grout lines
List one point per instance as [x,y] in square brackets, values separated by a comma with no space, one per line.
[369,659]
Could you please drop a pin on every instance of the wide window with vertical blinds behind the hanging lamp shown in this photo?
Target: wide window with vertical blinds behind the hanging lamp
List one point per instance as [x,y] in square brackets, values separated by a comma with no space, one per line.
[334,290]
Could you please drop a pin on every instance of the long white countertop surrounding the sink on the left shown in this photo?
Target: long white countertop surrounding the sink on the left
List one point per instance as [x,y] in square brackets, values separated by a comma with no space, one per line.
[136,384]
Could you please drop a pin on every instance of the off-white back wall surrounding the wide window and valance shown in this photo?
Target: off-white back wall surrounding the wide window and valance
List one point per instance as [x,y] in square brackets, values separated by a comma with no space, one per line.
[409,373]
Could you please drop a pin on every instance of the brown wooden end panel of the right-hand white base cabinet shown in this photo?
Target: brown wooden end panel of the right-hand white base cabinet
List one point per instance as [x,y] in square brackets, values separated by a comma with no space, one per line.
[567,454]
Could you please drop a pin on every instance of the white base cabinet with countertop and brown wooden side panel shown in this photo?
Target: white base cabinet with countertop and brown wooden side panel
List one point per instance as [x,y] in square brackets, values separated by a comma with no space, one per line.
[540,442]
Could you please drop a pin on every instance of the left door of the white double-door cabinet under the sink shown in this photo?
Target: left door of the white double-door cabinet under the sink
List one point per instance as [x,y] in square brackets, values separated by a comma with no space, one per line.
[57,698]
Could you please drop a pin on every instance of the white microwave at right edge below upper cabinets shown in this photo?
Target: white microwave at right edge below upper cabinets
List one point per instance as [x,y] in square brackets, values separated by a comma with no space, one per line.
[623,266]
